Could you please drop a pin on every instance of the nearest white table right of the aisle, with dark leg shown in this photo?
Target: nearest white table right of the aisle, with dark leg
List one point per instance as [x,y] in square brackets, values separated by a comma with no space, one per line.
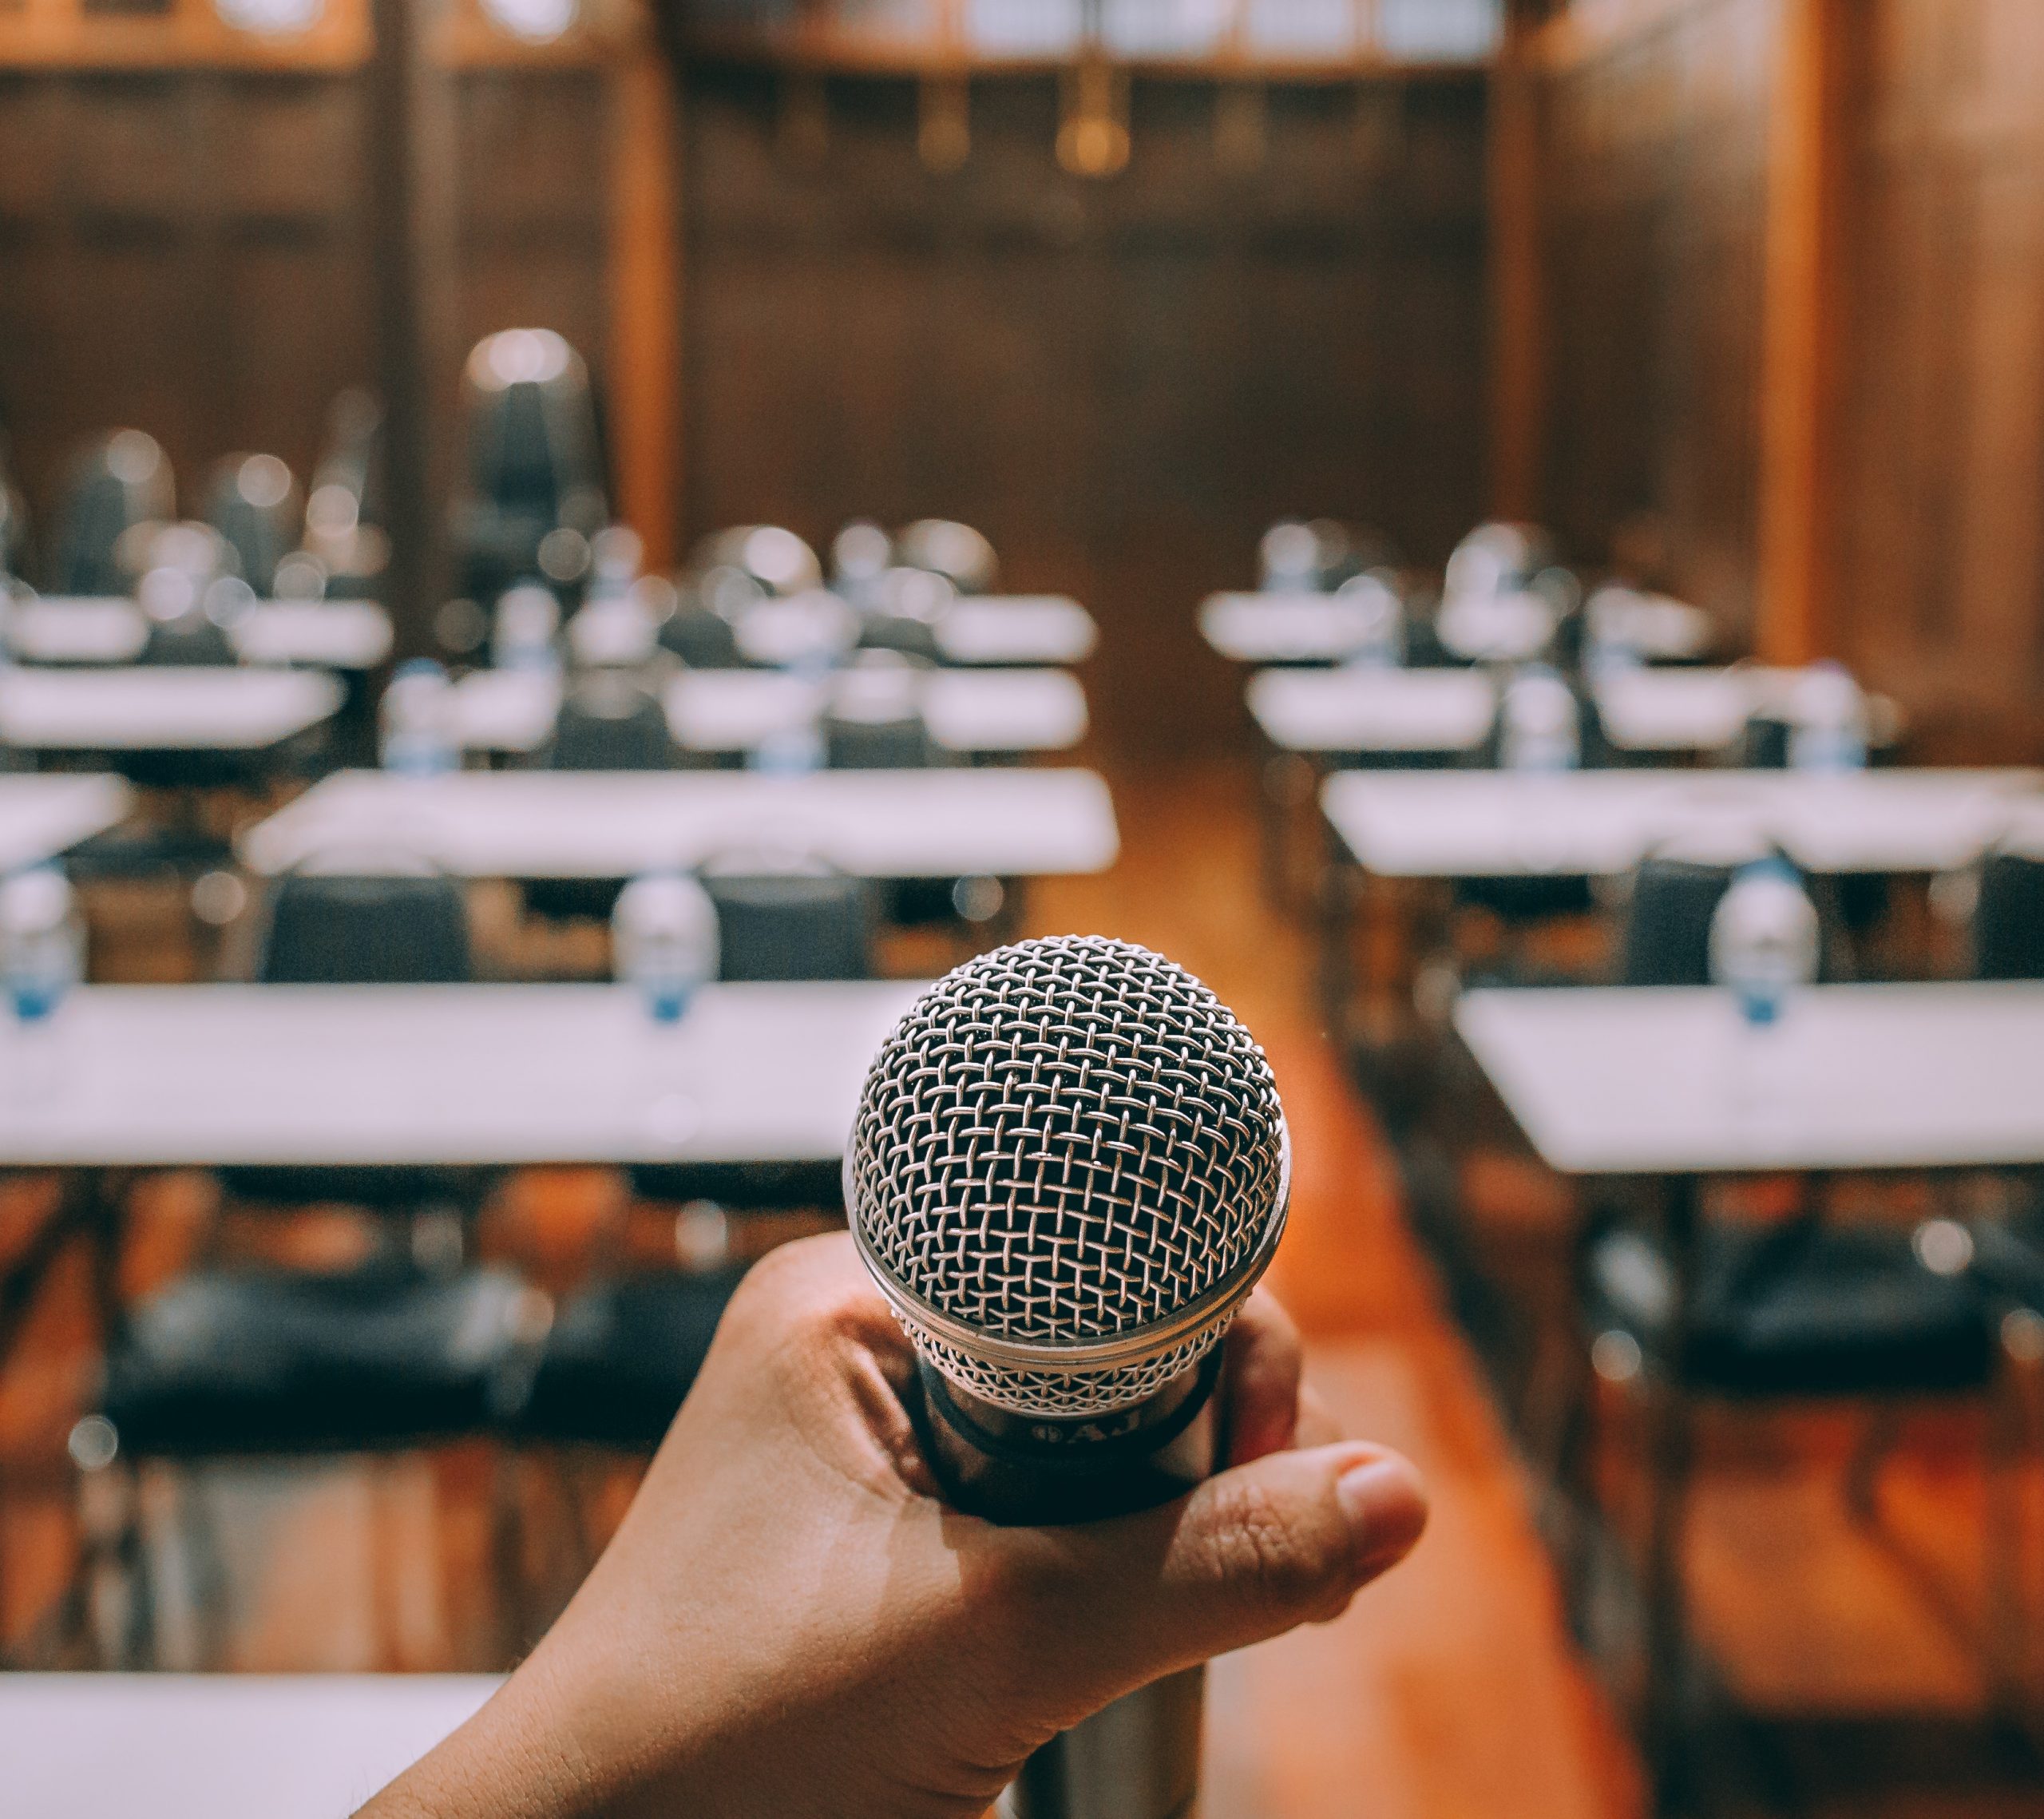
[1669,1086]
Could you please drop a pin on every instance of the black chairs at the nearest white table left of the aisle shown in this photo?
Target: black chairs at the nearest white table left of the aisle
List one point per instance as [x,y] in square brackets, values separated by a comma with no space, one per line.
[422,1344]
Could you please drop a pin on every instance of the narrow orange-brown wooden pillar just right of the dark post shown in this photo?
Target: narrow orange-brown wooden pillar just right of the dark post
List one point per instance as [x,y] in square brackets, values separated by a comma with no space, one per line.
[645,330]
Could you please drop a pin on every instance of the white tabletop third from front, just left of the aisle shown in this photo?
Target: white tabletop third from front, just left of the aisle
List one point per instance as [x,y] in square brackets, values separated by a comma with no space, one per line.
[968,712]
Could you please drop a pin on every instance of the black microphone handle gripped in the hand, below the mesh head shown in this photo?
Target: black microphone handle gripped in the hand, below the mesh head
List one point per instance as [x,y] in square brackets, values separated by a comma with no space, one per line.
[1140,1759]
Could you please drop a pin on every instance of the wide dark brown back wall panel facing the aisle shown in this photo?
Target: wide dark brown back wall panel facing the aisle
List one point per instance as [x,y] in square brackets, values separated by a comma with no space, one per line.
[1121,383]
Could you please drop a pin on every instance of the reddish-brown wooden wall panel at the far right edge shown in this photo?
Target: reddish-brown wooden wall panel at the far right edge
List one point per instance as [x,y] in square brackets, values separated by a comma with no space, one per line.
[1941,528]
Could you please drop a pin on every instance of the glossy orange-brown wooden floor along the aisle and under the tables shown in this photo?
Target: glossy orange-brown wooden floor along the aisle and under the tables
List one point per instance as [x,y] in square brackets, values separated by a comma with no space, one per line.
[1446,1693]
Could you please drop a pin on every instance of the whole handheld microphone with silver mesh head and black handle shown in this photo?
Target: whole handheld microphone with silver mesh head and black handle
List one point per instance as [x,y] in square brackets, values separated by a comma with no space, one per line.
[1066,1176]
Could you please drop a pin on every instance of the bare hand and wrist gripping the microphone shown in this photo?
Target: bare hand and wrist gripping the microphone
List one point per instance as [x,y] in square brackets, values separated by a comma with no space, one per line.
[790,1624]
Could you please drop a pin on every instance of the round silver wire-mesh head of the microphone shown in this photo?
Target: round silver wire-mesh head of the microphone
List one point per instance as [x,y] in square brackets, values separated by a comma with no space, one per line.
[1068,1172]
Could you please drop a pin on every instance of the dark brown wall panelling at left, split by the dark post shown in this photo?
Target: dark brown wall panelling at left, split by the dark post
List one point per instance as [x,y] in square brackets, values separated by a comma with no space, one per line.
[185,250]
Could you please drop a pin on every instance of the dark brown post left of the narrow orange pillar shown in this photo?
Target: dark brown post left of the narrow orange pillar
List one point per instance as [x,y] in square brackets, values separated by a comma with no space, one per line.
[412,238]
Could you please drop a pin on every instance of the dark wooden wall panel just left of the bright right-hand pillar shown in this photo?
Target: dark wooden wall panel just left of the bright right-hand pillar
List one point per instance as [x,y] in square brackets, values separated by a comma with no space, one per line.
[1655,189]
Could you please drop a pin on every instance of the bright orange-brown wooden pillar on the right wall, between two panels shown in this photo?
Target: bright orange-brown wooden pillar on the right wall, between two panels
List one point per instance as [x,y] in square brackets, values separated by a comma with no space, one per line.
[1802,328]
